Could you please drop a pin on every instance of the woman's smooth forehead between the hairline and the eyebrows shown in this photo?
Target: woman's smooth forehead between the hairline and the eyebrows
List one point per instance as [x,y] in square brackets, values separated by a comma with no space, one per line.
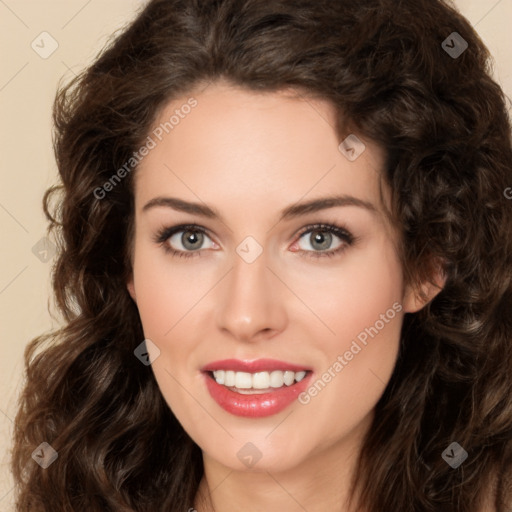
[231,146]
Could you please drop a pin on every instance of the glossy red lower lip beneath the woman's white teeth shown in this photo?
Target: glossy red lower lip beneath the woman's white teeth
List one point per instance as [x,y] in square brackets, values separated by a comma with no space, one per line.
[257,405]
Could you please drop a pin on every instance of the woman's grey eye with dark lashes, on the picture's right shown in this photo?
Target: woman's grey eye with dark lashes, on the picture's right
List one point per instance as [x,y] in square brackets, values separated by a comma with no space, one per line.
[323,240]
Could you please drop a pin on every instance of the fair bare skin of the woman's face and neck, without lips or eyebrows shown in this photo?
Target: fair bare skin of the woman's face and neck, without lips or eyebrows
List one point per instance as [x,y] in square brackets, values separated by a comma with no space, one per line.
[249,155]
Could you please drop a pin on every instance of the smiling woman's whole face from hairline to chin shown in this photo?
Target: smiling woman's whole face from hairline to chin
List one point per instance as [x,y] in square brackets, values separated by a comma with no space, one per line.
[241,267]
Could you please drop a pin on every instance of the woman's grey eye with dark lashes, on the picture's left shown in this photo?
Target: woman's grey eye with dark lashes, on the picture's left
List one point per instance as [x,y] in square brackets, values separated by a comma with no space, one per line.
[184,241]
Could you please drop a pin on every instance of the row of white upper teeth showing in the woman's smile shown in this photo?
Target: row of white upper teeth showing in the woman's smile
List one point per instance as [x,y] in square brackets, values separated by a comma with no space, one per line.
[259,380]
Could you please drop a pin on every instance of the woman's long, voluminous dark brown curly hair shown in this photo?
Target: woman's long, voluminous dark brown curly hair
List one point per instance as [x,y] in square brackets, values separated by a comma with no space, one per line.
[444,126]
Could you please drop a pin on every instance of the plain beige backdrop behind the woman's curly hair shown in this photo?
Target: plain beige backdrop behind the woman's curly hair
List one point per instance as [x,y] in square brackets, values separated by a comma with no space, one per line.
[27,87]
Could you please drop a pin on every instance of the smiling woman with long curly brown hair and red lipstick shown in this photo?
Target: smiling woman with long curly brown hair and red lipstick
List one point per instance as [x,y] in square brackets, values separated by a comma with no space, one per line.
[285,268]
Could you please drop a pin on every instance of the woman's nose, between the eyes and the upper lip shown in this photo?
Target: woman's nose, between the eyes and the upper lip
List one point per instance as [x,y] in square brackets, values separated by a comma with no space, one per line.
[251,302]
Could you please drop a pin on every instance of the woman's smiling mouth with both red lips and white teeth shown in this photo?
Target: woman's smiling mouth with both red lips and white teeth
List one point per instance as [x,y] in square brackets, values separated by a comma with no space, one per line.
[255,388]
